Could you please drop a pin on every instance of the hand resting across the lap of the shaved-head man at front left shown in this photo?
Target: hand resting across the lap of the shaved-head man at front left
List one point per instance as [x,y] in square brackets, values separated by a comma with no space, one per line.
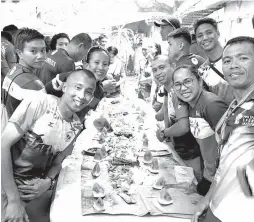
[34,189]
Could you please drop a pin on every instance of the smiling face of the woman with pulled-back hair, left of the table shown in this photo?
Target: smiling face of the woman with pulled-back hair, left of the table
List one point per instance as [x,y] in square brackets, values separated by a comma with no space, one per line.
[98,64]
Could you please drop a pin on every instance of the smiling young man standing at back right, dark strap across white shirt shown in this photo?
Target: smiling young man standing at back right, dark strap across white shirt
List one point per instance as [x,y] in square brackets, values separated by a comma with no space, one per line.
[207,35]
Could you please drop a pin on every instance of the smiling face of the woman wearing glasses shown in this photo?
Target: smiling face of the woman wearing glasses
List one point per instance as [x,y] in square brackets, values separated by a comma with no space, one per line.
[186,85]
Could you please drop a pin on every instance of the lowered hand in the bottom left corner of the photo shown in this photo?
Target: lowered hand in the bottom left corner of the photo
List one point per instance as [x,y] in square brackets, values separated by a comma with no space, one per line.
[15,212]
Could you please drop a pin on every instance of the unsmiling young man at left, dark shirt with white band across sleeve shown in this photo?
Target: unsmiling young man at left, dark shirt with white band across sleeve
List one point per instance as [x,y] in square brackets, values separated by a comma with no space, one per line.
[31,49]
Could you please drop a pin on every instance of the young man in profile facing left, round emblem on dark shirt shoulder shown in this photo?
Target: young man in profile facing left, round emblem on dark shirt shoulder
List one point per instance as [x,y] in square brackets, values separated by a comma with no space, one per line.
[179,49]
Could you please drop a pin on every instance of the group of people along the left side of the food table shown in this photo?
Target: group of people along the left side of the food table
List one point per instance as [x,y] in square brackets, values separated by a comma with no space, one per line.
[46,97]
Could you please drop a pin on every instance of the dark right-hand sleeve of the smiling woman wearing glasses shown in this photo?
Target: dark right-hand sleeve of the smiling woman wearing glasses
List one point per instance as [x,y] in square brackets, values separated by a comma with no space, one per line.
[214,111]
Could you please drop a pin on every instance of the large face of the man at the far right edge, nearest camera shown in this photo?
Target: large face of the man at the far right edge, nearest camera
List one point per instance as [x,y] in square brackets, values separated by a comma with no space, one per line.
[238,65]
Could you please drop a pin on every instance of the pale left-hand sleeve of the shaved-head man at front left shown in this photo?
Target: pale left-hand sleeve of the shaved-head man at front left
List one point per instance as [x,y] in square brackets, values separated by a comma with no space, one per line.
[29,111]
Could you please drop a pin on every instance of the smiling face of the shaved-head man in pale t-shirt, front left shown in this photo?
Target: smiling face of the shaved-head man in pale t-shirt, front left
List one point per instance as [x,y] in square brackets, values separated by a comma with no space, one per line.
[78,92]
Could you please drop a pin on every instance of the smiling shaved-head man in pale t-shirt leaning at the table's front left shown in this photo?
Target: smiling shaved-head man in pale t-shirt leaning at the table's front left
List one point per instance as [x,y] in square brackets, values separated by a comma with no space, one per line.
[37,138]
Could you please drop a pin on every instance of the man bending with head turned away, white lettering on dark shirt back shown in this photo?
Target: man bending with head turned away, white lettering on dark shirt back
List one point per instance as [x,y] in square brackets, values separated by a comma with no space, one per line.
[61,60]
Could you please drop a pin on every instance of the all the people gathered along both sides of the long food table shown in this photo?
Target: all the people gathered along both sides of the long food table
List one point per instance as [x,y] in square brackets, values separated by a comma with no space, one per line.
[207,105]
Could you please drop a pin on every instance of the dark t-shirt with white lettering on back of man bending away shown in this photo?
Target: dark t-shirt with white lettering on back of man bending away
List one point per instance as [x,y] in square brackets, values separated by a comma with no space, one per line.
[56,62]
